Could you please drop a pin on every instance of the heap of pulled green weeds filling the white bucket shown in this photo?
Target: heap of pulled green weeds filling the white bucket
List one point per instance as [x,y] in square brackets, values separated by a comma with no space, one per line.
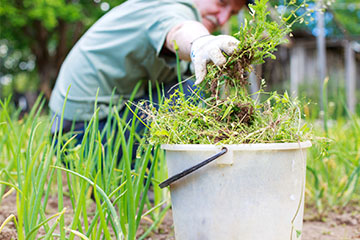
[231,121]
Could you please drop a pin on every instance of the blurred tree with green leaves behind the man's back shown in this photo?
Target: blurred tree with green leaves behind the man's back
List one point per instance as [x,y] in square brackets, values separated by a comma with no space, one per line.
[35,37]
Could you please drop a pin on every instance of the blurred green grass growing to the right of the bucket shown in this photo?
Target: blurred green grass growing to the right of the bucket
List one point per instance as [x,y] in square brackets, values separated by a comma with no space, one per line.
[333,174]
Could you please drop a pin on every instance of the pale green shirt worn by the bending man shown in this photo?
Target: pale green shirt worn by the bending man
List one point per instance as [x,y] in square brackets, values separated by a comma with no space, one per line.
[119,50]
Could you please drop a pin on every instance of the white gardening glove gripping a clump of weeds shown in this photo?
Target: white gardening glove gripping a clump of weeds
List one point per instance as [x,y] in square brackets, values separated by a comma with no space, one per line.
[209,48]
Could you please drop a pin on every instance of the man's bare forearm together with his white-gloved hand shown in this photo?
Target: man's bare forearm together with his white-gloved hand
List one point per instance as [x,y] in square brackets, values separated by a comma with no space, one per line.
[196,44]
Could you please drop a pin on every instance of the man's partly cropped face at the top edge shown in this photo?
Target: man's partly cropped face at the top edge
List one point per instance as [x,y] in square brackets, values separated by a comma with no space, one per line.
[216,13]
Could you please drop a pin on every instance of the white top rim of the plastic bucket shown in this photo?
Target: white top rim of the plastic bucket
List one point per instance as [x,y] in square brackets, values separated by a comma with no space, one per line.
[237,147]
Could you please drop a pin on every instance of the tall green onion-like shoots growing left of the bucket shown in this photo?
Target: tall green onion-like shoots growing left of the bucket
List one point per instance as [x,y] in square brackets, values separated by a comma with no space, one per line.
[33,167]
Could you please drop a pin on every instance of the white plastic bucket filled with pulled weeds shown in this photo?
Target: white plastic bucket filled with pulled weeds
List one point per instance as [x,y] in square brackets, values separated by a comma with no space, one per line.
[253,192]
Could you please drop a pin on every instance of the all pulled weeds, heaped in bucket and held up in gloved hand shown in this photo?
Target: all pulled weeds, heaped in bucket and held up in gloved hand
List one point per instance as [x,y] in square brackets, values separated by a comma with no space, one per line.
[221,110]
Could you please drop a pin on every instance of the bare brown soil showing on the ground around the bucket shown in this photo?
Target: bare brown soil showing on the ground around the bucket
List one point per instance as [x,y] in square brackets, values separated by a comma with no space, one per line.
[344,225]
